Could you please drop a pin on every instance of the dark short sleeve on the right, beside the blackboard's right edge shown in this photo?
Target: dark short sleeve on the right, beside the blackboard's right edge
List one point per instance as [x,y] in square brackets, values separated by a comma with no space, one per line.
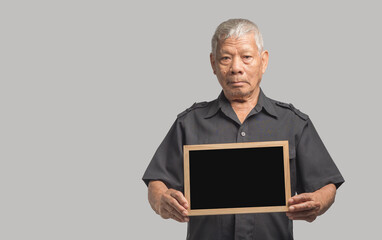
[315,167]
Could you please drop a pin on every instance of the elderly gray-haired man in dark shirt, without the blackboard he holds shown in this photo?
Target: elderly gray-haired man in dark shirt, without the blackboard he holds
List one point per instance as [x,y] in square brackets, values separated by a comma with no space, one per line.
[243,113]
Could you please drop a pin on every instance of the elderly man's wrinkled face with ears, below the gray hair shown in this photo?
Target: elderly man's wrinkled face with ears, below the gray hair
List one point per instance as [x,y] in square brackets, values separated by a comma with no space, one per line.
[238,66]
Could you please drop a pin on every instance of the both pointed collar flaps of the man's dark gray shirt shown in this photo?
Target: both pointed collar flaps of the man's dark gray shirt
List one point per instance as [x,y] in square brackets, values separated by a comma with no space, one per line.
[222,103]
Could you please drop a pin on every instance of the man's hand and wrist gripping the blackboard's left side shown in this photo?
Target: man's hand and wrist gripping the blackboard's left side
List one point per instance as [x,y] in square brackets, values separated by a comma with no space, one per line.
[168,203]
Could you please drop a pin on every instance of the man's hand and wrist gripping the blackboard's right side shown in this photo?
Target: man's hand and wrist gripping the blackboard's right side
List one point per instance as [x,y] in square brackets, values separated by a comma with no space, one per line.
[307,206]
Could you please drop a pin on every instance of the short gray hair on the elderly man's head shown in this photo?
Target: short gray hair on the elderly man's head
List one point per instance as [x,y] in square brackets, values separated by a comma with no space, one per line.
[236,28]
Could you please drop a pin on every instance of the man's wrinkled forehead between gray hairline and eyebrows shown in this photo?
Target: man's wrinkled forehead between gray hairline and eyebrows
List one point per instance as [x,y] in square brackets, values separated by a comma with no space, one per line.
[245,42]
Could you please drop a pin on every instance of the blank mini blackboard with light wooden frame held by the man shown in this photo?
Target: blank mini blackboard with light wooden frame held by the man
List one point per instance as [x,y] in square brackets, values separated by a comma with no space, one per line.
[235,178]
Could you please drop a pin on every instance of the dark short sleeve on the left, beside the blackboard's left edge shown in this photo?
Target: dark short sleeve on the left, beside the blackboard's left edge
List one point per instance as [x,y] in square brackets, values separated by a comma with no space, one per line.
[167,162]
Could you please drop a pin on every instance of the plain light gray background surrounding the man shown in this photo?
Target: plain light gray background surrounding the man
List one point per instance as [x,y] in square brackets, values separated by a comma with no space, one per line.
[90,88]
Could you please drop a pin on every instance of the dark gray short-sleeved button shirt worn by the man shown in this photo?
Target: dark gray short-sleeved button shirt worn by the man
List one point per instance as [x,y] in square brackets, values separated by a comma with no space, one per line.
[216,122]
